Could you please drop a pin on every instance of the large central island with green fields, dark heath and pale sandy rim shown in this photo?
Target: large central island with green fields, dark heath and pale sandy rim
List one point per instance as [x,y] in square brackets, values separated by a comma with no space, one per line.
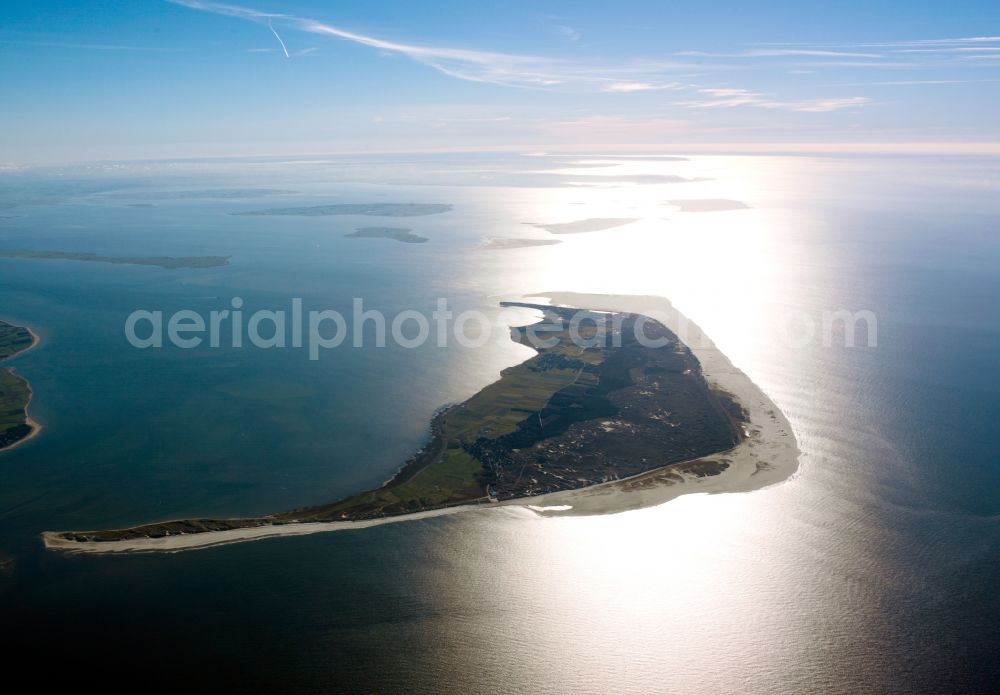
[597,421]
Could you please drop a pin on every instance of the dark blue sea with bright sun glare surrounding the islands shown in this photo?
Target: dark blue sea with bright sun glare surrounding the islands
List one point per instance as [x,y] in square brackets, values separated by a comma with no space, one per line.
[874,569]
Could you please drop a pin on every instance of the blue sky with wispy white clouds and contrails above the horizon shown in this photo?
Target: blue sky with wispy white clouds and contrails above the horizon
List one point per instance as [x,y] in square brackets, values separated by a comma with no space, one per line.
[84,80]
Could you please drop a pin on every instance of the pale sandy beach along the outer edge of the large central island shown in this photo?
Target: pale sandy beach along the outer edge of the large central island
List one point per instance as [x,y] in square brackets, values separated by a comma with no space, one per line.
[766,456]
